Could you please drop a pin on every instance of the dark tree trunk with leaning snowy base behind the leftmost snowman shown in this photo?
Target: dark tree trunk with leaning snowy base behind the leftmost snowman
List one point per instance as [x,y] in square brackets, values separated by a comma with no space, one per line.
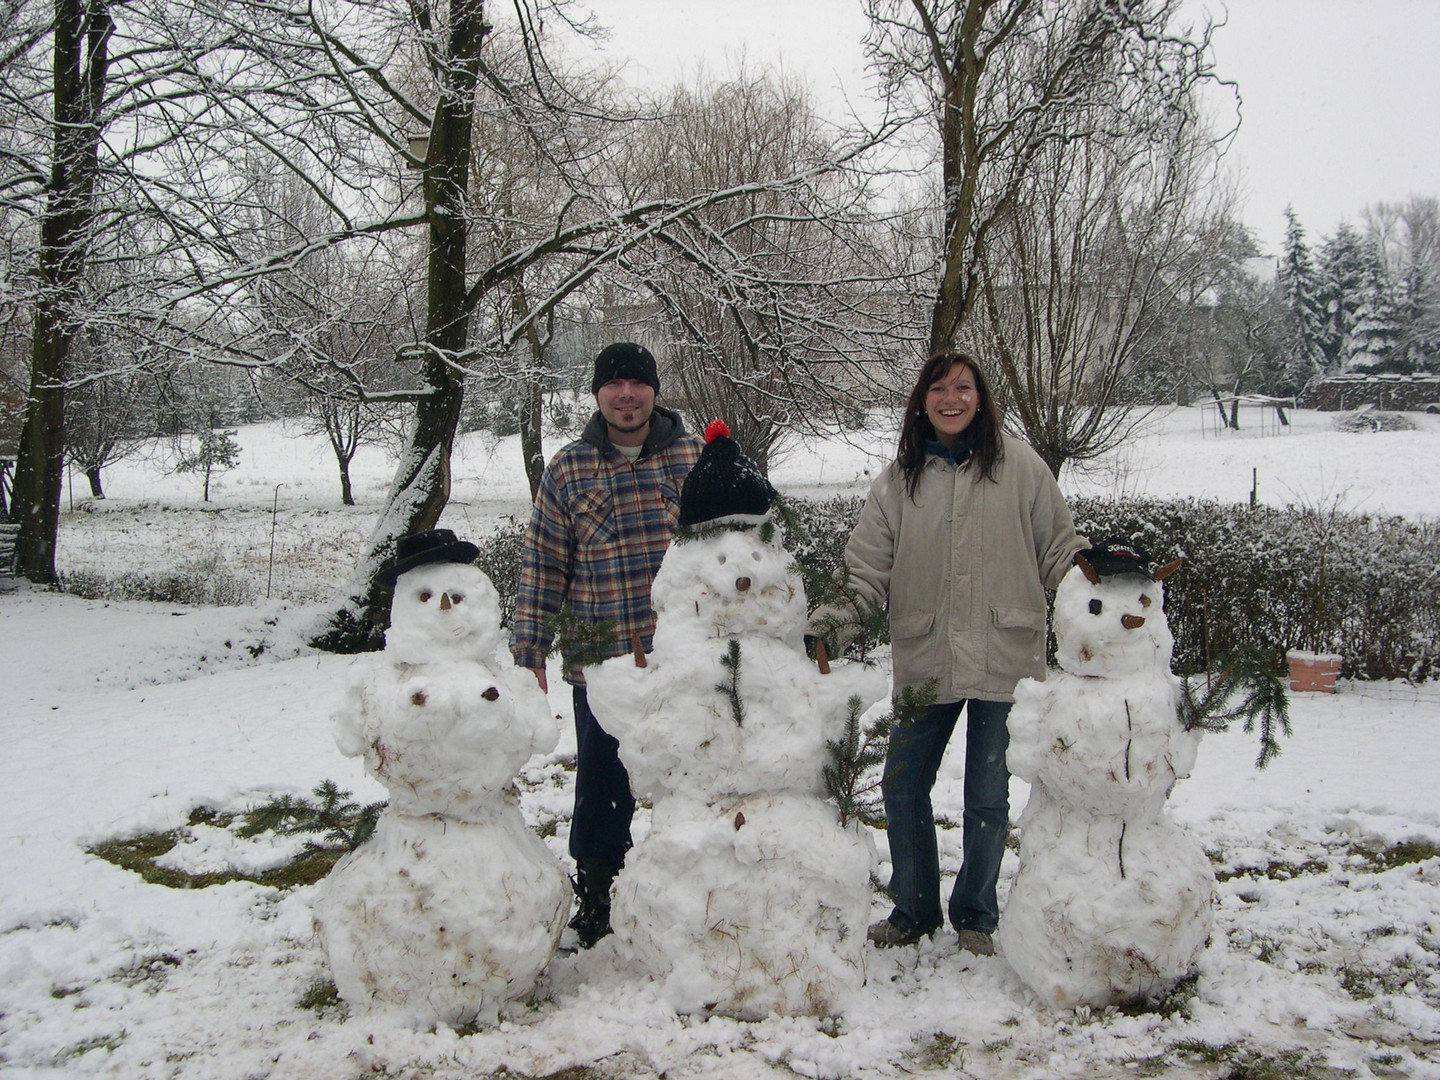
[421,487]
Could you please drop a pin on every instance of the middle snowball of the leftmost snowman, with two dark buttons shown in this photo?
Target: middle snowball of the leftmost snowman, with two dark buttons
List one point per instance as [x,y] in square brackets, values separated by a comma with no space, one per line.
[446,738]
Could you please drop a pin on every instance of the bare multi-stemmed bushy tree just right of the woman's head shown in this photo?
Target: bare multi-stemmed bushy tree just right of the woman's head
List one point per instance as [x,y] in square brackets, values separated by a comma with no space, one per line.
[1108,253]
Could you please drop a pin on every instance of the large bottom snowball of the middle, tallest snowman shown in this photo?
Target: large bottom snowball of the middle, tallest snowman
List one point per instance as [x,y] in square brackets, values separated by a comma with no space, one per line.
[739,908]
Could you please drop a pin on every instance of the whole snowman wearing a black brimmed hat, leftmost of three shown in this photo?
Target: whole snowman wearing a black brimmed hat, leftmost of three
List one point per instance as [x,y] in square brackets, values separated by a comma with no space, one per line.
[454,906]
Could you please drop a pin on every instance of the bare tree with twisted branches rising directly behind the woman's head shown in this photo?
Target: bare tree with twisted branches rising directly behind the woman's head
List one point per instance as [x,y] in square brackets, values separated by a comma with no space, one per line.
[1000,81]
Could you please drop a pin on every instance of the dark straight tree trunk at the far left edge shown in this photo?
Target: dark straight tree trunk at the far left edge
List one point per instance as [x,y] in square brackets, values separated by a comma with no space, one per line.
[81,41]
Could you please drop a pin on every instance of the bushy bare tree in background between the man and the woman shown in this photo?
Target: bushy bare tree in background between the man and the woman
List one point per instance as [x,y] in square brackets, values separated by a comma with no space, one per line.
[771,307]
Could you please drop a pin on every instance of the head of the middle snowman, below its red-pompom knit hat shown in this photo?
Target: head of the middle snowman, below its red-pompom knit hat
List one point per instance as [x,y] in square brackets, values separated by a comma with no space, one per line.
[731,582]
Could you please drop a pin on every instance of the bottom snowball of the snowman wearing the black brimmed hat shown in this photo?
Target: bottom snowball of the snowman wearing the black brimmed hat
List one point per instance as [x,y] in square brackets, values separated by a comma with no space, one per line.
[443,921]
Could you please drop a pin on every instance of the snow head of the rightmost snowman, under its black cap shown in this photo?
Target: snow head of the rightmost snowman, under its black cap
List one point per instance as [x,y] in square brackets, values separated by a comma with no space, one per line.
[1114,629]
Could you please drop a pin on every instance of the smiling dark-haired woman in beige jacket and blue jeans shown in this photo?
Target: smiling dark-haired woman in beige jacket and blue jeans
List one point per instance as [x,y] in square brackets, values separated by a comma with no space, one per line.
[960,538]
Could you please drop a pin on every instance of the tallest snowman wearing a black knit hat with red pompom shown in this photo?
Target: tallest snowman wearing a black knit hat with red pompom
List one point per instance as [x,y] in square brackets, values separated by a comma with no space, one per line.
[747,898]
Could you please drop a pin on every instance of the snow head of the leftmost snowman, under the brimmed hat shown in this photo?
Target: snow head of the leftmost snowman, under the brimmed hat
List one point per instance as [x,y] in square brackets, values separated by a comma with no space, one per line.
[444,610]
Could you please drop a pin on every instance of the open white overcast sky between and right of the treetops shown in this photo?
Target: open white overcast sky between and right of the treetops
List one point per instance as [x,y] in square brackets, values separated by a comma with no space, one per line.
[1340,96]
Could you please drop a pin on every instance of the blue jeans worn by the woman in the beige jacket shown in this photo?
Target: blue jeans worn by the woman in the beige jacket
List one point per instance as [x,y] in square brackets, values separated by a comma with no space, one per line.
[912,762]
